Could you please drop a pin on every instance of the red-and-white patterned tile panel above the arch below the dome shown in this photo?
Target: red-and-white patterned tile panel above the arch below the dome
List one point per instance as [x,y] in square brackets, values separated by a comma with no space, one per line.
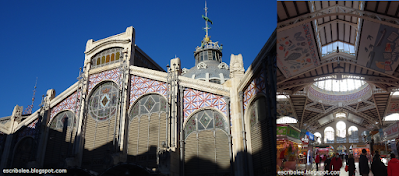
[195,99]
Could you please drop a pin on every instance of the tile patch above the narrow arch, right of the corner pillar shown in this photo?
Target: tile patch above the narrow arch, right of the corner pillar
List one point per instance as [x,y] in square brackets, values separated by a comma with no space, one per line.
[257,85]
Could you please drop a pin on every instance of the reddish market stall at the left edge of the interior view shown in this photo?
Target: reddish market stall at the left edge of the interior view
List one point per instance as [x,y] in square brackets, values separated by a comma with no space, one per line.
[288,147]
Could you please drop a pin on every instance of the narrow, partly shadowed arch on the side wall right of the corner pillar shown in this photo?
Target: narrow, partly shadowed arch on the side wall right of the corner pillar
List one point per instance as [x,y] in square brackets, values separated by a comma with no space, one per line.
[255,124]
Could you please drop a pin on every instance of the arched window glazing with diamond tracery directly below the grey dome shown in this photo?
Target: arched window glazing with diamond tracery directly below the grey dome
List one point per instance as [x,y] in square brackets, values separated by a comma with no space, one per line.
[205,120]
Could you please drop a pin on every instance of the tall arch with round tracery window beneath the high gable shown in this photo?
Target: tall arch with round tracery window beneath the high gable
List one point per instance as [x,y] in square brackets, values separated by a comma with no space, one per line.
[101,126]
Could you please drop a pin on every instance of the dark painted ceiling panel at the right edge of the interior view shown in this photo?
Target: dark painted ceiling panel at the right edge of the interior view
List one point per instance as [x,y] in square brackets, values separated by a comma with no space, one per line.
[379,47]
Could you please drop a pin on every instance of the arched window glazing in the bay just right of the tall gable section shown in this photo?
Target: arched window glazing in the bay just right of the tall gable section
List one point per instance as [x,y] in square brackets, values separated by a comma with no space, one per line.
[148,104]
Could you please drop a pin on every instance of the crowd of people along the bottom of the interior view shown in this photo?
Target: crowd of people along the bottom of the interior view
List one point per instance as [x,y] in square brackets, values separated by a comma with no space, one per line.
[376,166]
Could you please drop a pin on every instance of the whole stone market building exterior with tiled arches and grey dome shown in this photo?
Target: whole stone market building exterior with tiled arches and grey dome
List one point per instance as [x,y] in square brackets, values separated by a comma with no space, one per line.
[127,115]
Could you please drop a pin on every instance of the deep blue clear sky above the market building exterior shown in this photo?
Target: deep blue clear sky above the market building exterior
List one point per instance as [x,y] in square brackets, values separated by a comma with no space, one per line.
[46,39]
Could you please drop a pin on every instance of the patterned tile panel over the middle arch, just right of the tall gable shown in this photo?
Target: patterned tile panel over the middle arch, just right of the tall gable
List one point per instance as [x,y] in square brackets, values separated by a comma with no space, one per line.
[140,86]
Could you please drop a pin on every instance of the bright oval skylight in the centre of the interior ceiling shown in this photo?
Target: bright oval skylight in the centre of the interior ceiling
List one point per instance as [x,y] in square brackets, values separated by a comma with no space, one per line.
[343,85]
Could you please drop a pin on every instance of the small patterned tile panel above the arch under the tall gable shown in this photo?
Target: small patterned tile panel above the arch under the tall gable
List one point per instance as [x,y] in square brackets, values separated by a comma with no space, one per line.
[94,79]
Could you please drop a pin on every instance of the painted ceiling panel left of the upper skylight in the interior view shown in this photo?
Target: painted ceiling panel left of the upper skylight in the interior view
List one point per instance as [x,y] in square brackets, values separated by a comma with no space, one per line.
[296,50]
